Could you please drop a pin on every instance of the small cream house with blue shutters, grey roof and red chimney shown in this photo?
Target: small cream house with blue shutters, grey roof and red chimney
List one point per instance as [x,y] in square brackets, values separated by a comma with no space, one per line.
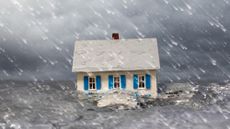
[119,64]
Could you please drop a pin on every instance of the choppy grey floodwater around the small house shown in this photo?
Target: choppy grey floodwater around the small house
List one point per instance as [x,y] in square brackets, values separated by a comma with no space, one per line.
[54,105]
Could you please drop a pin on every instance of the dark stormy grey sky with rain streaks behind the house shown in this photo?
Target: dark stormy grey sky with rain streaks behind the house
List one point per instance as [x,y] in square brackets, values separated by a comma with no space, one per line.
[37,37]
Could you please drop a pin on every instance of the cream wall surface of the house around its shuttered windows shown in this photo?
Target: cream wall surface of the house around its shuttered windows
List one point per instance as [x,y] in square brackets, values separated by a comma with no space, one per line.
[129,81]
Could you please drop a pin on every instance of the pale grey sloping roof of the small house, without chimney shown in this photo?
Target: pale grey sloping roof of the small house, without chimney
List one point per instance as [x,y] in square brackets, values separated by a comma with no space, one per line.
[115,55]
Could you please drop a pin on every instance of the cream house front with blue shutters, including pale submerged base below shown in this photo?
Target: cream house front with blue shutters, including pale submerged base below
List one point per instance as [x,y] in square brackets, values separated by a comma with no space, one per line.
[127,92]
